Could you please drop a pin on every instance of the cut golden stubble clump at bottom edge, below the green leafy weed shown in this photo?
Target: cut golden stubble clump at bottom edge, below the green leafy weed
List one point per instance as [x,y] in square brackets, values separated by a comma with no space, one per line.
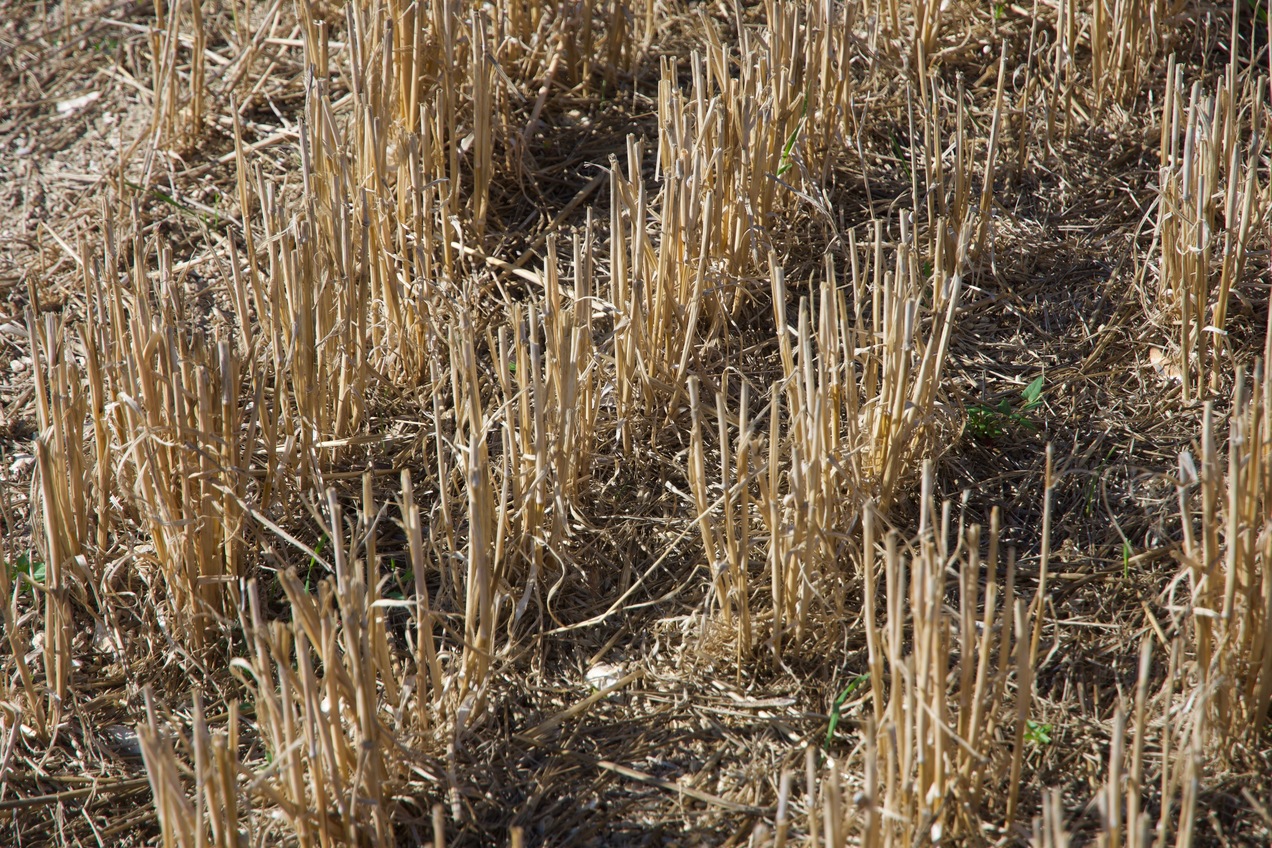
[932,742]
